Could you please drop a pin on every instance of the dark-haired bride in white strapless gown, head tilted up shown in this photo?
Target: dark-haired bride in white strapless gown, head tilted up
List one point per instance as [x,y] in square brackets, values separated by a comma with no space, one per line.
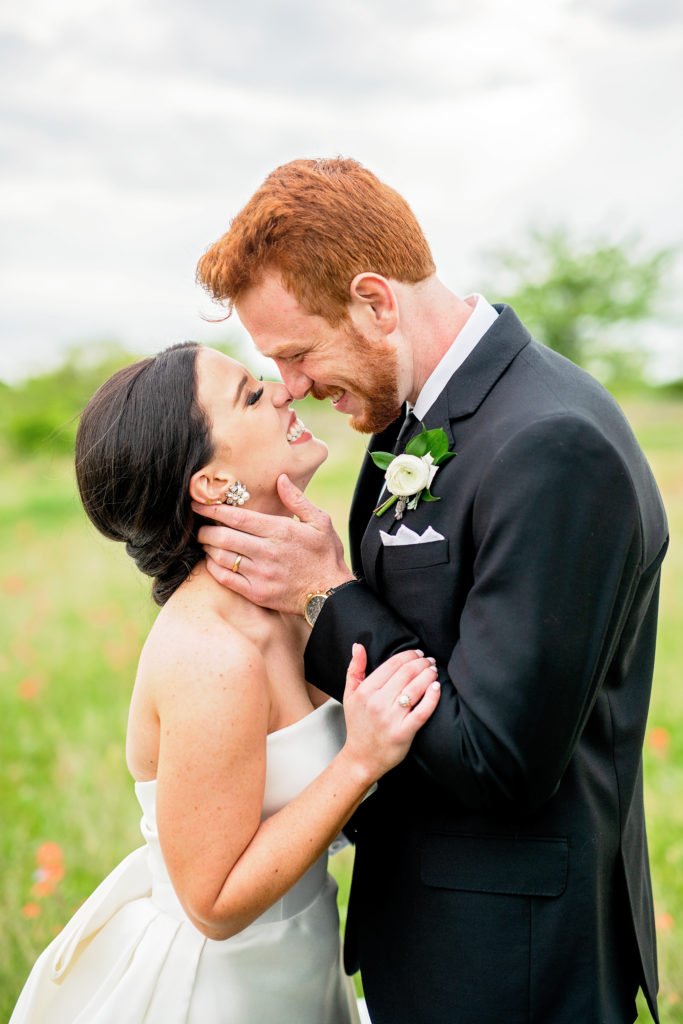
[244,773]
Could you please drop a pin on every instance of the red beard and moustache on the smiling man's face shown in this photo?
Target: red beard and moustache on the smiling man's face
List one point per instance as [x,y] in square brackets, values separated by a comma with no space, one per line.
[375,382]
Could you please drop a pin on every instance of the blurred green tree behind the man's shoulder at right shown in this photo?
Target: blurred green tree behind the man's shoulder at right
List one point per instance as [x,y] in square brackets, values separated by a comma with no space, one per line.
[585,301]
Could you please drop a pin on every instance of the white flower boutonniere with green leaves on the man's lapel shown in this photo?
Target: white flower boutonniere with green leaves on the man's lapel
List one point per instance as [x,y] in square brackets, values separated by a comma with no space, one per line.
[410,476]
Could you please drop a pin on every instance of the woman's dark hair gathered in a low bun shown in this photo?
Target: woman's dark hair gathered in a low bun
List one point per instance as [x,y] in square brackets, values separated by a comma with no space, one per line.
[142,438]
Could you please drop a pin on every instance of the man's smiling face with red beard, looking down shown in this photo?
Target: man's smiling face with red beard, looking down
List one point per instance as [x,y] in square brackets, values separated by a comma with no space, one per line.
[358,374]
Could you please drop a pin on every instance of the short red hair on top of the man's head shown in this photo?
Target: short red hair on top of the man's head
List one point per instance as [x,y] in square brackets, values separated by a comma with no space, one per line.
[319,223]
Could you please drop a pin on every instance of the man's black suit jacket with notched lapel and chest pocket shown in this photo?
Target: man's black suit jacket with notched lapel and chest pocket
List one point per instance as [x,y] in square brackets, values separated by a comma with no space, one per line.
[502,871]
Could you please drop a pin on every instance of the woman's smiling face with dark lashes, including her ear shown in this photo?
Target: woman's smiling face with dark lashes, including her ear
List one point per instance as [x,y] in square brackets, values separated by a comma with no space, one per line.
[257,436]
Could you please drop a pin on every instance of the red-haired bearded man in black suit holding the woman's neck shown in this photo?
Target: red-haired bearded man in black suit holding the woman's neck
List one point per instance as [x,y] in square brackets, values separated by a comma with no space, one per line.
[501,872]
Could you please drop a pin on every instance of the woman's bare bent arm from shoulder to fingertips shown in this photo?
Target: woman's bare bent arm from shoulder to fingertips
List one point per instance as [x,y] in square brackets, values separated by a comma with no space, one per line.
[227,867]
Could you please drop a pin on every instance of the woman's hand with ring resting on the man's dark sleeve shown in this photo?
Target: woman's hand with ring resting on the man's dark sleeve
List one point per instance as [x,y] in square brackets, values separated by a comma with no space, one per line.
[386,710]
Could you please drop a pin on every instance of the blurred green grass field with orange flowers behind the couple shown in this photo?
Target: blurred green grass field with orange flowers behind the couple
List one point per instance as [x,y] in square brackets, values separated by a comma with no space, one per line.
[75,613]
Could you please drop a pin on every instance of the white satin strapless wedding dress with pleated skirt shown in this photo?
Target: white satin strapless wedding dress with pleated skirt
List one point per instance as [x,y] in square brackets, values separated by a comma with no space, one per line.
[131,955]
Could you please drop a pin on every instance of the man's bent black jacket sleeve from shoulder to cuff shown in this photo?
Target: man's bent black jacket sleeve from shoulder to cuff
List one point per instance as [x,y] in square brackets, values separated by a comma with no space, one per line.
[558,542]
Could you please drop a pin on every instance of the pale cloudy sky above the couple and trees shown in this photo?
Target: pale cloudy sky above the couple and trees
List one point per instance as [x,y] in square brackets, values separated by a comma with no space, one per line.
[133,132]
